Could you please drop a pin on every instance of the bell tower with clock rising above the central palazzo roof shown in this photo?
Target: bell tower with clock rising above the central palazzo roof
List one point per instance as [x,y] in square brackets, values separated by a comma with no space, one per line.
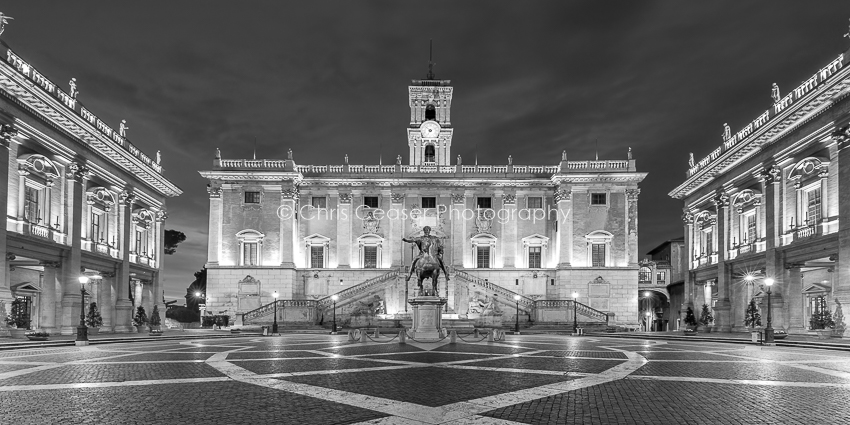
[429,134]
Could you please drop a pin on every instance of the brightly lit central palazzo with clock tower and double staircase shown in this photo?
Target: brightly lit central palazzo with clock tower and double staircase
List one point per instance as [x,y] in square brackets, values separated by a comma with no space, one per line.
[542,232]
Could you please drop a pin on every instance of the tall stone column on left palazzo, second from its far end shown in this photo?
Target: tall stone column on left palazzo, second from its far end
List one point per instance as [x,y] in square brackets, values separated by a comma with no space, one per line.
[123,307]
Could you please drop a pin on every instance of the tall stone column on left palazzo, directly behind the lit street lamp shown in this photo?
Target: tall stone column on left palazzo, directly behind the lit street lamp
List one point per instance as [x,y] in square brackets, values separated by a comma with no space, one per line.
[71,299]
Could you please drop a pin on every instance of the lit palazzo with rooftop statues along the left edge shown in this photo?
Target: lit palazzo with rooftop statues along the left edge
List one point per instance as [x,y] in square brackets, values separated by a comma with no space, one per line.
[80,200]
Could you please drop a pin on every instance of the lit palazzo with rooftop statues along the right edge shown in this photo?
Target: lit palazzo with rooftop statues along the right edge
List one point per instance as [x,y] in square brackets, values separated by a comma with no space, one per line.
[769,203]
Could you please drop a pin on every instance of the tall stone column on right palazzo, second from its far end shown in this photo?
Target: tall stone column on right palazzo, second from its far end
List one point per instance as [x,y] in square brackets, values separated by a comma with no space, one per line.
[723,316]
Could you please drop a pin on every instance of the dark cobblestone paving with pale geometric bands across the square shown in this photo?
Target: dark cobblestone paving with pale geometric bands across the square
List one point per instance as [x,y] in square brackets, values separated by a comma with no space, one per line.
[323,379]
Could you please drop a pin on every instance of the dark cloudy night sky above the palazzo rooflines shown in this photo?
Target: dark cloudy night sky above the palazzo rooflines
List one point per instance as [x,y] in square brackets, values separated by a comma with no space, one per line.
[328,78]
